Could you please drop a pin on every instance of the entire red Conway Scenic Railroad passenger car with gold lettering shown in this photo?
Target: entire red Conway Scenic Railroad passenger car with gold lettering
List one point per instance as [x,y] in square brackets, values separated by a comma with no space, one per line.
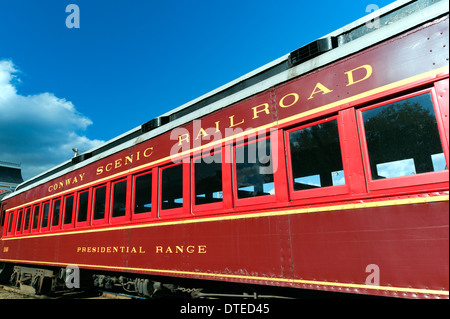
[326,169]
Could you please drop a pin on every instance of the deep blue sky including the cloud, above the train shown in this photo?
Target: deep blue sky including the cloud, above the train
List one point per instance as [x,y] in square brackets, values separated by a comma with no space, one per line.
[130,61]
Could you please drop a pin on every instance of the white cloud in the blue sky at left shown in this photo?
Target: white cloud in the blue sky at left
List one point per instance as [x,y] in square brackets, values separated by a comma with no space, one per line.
[39,130]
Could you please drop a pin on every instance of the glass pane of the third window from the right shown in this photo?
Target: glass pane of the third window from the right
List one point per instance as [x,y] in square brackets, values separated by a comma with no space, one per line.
[254,173]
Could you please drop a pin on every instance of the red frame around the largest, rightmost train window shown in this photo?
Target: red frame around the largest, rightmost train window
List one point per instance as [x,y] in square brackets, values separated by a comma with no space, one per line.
[409,180]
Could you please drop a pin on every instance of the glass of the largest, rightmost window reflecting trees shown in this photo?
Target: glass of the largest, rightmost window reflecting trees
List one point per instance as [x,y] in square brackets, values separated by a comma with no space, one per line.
[403,138]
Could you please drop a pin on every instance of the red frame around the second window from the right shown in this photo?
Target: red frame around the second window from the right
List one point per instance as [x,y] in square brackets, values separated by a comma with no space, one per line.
[321,191]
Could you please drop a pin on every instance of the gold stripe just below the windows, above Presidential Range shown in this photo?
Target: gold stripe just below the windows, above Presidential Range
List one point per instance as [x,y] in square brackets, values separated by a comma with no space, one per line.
[191,220]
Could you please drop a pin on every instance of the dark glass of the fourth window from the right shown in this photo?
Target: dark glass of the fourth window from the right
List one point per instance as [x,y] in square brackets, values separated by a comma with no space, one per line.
[208,180]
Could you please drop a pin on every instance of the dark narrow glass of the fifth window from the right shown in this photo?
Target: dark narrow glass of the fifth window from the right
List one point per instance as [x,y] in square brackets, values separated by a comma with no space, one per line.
[172,187]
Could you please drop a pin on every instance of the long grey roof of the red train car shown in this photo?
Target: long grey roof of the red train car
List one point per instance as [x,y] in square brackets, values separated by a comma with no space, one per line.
[396,18]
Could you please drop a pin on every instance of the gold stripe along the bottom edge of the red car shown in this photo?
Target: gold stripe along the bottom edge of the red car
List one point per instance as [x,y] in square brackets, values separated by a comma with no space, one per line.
[284,280]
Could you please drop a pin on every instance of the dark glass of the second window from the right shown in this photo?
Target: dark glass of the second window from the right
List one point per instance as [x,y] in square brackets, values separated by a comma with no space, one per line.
[316,156]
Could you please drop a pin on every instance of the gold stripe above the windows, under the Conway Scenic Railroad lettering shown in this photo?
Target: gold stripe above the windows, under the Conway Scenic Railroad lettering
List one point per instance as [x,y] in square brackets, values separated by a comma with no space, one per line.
[381,89]
